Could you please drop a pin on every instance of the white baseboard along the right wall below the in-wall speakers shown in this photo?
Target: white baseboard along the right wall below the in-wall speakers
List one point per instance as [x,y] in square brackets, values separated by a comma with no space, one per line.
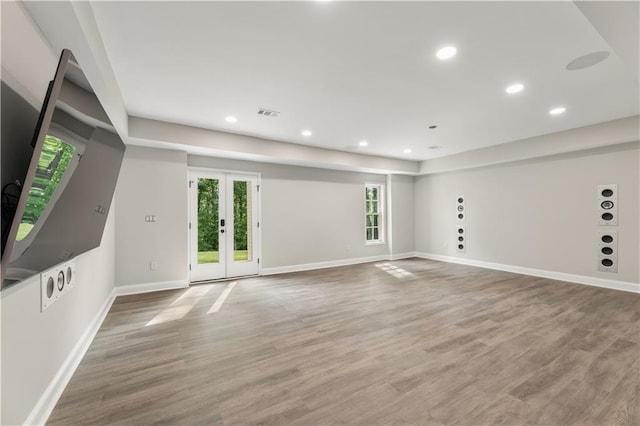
[561,276]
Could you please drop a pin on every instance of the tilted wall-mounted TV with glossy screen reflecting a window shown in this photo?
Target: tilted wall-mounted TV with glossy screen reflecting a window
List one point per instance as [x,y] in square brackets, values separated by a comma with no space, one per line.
[62,208]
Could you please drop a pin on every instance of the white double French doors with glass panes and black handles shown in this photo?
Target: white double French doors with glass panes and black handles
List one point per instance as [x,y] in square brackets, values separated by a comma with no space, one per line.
[223,227]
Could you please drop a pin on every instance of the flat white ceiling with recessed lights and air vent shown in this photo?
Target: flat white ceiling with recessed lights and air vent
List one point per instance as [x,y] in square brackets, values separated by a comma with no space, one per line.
[352,71]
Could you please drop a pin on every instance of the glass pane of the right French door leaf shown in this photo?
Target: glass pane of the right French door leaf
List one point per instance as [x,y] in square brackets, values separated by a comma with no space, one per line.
[242,220]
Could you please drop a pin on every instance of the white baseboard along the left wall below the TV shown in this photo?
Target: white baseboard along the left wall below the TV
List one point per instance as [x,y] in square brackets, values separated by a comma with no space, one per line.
[49,398]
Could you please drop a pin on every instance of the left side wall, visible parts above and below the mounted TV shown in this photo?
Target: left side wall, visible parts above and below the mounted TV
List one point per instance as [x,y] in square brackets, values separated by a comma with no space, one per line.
[36,344]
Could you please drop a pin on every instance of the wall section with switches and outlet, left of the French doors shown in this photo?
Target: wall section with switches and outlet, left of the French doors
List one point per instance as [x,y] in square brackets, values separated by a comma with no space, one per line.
[152,182]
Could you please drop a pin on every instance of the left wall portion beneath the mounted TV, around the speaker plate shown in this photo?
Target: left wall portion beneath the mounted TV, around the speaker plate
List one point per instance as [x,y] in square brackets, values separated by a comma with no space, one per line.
[36,344]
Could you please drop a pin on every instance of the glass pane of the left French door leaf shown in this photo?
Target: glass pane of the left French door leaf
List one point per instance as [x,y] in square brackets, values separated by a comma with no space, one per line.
[208,220]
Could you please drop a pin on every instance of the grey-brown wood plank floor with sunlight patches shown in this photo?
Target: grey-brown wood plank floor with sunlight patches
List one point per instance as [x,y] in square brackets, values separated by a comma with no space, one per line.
[403,342]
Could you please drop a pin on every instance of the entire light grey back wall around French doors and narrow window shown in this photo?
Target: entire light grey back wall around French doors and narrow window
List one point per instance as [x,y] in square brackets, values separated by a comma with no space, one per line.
[308,215]
